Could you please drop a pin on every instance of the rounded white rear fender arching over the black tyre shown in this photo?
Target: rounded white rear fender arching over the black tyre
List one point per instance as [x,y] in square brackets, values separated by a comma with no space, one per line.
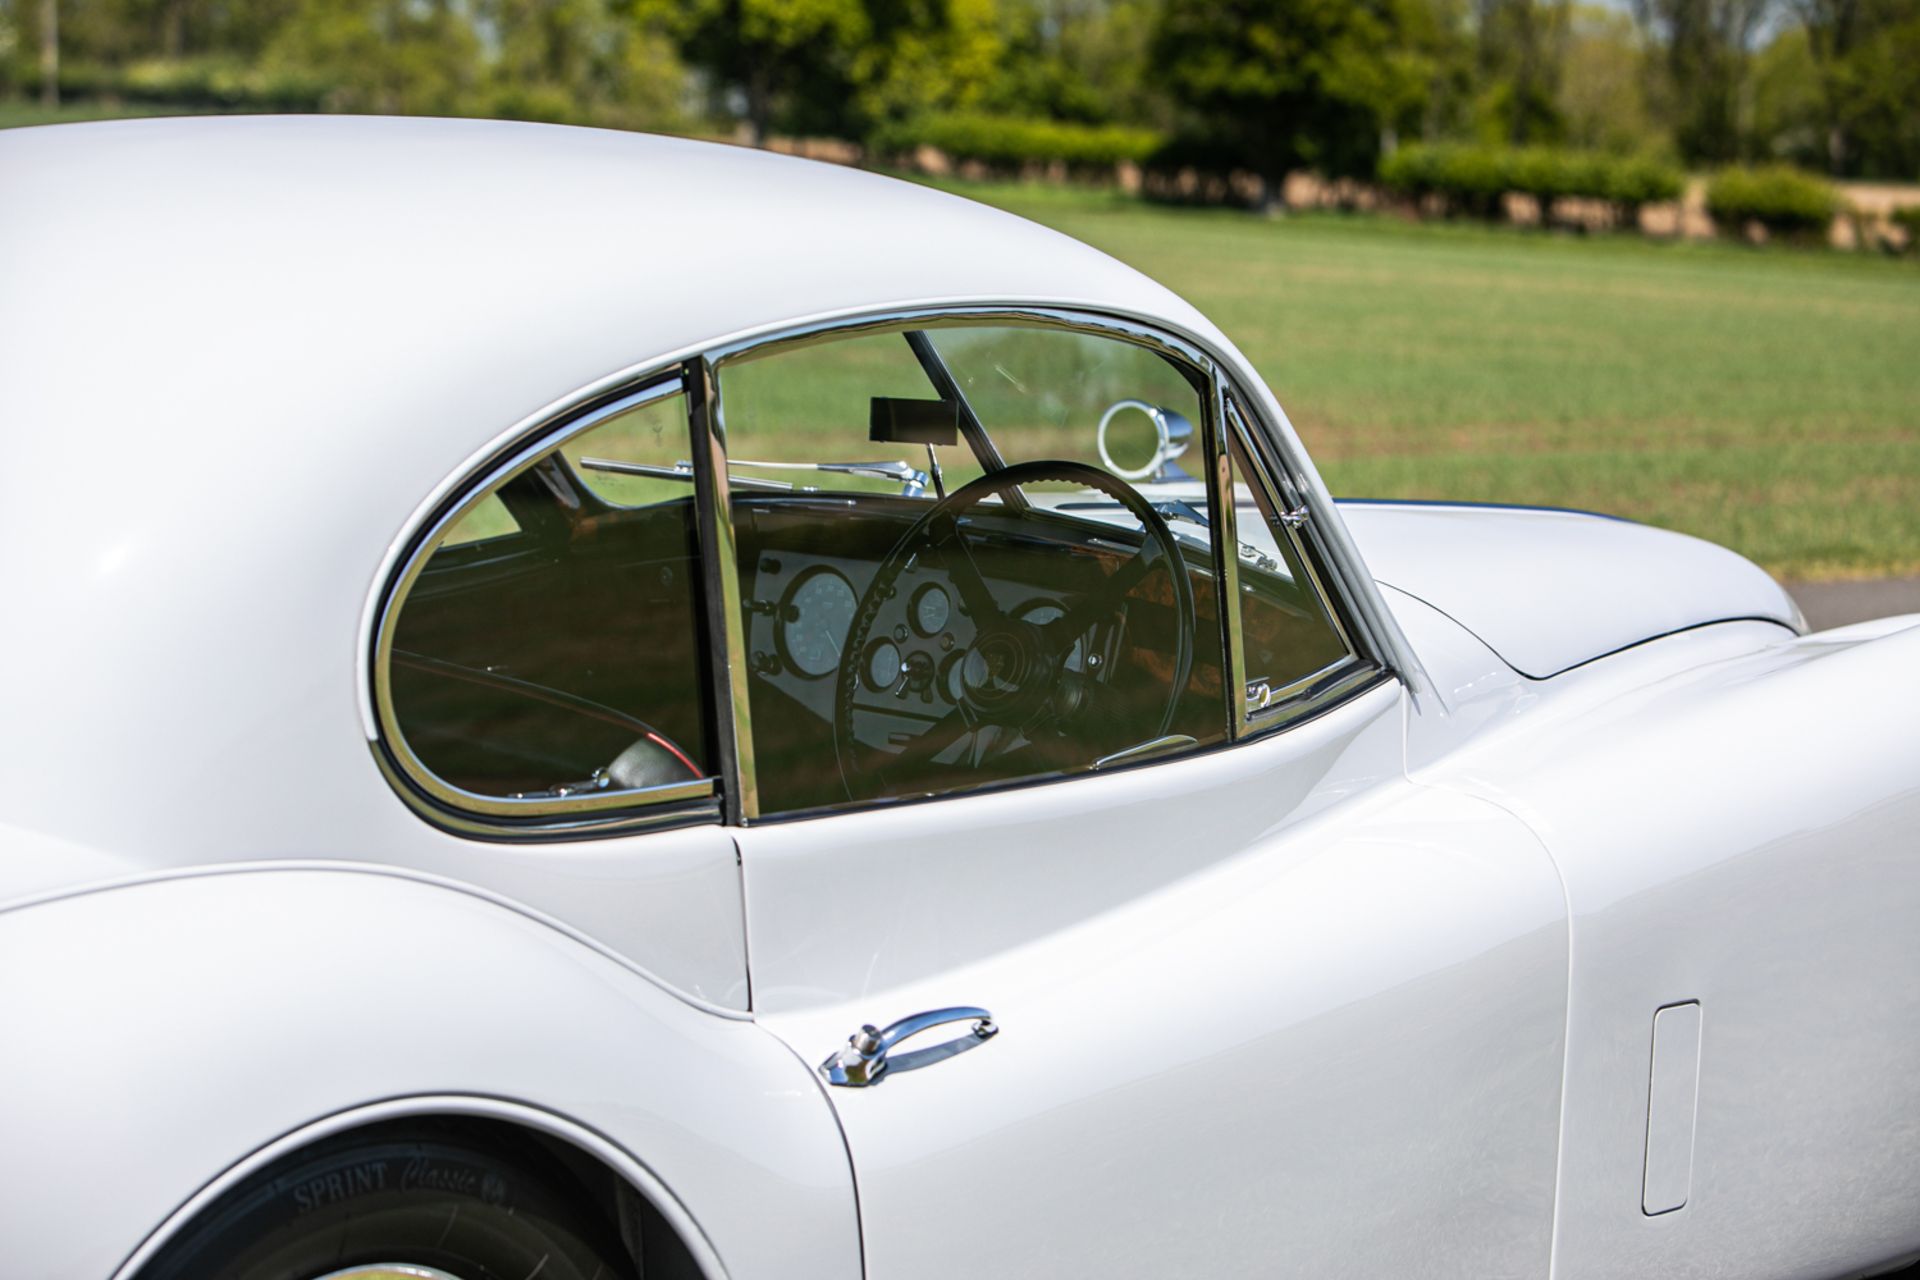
[166,1037]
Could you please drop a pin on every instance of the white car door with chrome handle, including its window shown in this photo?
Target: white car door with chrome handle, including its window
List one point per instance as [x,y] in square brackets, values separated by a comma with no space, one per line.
[1257,1001]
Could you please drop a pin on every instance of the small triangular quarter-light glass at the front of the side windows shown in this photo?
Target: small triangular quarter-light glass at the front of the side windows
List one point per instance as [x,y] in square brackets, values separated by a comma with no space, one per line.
[1289,638]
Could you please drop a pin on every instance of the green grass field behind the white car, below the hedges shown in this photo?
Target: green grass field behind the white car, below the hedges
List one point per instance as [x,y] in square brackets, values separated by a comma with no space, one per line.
[1764,400]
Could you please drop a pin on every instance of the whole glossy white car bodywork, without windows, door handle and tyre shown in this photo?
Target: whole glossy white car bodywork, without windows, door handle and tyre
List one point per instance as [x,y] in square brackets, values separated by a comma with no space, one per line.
[1374,995]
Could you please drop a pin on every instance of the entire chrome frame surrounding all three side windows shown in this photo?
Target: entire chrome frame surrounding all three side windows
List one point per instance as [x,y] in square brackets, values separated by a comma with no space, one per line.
[732,792]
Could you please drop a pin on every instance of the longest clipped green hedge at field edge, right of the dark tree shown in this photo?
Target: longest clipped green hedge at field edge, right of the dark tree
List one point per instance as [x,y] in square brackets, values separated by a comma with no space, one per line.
[1472,179]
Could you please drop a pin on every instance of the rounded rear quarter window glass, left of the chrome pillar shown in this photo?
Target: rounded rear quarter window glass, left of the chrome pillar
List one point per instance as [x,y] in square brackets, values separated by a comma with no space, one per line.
[552,646]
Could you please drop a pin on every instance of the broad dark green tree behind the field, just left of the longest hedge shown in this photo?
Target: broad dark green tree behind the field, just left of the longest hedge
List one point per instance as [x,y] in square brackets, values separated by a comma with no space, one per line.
[1285,83]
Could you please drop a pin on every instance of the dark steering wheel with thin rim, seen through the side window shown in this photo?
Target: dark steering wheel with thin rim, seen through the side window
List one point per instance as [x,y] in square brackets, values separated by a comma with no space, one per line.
[1013,676]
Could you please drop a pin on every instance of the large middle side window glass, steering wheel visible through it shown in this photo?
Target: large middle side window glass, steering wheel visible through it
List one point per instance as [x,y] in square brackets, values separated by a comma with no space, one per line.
[946,582]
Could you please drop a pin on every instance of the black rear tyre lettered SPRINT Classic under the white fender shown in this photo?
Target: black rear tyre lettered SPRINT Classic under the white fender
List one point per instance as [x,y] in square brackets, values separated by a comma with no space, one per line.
[444,1202]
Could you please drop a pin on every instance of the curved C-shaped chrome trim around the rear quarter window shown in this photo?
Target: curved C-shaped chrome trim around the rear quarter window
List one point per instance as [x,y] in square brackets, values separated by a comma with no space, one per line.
[469,813]
